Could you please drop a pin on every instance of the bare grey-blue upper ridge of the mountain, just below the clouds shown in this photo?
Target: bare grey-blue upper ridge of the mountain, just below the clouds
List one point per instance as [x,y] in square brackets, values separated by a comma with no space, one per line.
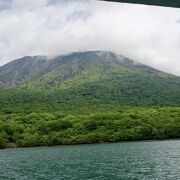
[18,71]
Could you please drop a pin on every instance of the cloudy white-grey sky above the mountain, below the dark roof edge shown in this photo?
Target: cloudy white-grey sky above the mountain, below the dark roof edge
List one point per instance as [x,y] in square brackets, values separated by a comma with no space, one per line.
[148,34]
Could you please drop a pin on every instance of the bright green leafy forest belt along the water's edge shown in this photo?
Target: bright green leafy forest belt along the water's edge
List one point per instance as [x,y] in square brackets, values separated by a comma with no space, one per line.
[47,124]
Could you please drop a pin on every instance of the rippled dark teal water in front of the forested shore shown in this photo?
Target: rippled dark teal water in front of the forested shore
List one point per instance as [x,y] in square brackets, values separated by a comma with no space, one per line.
[135,160]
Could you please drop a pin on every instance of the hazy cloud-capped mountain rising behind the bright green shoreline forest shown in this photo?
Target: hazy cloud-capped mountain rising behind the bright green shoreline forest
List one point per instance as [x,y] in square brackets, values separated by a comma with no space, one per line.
[95,76]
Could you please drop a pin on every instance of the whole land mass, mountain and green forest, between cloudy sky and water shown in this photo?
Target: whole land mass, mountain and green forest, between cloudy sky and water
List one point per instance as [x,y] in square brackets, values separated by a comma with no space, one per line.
[86,97]
